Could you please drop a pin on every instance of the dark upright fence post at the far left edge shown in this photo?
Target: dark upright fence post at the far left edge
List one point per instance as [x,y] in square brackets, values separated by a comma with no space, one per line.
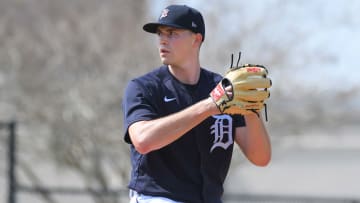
[12,162]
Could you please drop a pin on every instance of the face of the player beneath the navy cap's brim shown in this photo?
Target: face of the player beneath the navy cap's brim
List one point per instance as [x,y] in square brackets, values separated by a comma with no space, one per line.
[175,45]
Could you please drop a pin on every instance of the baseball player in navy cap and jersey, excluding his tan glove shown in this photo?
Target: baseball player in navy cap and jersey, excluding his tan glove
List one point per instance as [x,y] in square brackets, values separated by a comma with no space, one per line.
[181,146]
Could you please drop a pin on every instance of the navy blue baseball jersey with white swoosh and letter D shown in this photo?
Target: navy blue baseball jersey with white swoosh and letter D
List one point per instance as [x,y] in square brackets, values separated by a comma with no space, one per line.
[192,168]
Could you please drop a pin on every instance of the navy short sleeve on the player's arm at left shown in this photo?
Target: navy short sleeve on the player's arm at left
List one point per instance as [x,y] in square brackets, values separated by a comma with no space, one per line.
[137,106]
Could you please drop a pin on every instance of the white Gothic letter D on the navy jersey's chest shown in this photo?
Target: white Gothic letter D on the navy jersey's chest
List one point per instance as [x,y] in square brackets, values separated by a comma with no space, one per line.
[222,132]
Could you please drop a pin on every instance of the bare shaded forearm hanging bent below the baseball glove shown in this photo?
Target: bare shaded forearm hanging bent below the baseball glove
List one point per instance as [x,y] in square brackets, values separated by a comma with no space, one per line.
[254,140]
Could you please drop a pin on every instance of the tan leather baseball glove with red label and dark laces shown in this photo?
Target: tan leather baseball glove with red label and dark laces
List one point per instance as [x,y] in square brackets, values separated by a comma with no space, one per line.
[243,90]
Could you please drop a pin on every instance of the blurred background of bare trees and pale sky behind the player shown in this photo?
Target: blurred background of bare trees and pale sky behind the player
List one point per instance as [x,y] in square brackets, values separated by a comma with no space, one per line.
[64,65]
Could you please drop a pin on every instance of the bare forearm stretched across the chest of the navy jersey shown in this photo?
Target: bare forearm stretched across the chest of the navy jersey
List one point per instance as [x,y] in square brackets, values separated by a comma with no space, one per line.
[155,134]
